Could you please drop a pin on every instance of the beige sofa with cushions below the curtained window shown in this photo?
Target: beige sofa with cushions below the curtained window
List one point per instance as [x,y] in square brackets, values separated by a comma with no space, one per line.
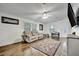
[30,36]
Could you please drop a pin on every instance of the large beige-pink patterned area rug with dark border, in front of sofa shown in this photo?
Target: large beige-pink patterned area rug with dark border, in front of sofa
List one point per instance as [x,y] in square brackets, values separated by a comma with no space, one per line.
[46,46]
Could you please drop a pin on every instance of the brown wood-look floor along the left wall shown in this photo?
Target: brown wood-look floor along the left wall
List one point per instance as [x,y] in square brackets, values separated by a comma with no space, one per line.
[17,49]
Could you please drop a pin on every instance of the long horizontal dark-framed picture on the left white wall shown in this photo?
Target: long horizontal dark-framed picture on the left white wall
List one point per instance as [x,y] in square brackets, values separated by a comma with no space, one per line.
[9,20]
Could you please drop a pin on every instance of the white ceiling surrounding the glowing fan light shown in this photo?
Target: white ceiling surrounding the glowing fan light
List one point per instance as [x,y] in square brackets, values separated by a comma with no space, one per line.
[33,11]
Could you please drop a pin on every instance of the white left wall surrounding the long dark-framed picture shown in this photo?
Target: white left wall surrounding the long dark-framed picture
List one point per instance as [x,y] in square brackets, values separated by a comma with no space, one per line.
[10,33]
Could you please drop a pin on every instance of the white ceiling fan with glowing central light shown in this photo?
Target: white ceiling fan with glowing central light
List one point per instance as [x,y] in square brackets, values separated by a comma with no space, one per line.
[43,14]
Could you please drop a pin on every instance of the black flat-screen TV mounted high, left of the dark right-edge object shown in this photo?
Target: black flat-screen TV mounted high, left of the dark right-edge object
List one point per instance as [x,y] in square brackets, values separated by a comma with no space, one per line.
[71,15]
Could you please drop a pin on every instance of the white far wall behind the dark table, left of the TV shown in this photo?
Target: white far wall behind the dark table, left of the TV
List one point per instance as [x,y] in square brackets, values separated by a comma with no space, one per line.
[62,26]
